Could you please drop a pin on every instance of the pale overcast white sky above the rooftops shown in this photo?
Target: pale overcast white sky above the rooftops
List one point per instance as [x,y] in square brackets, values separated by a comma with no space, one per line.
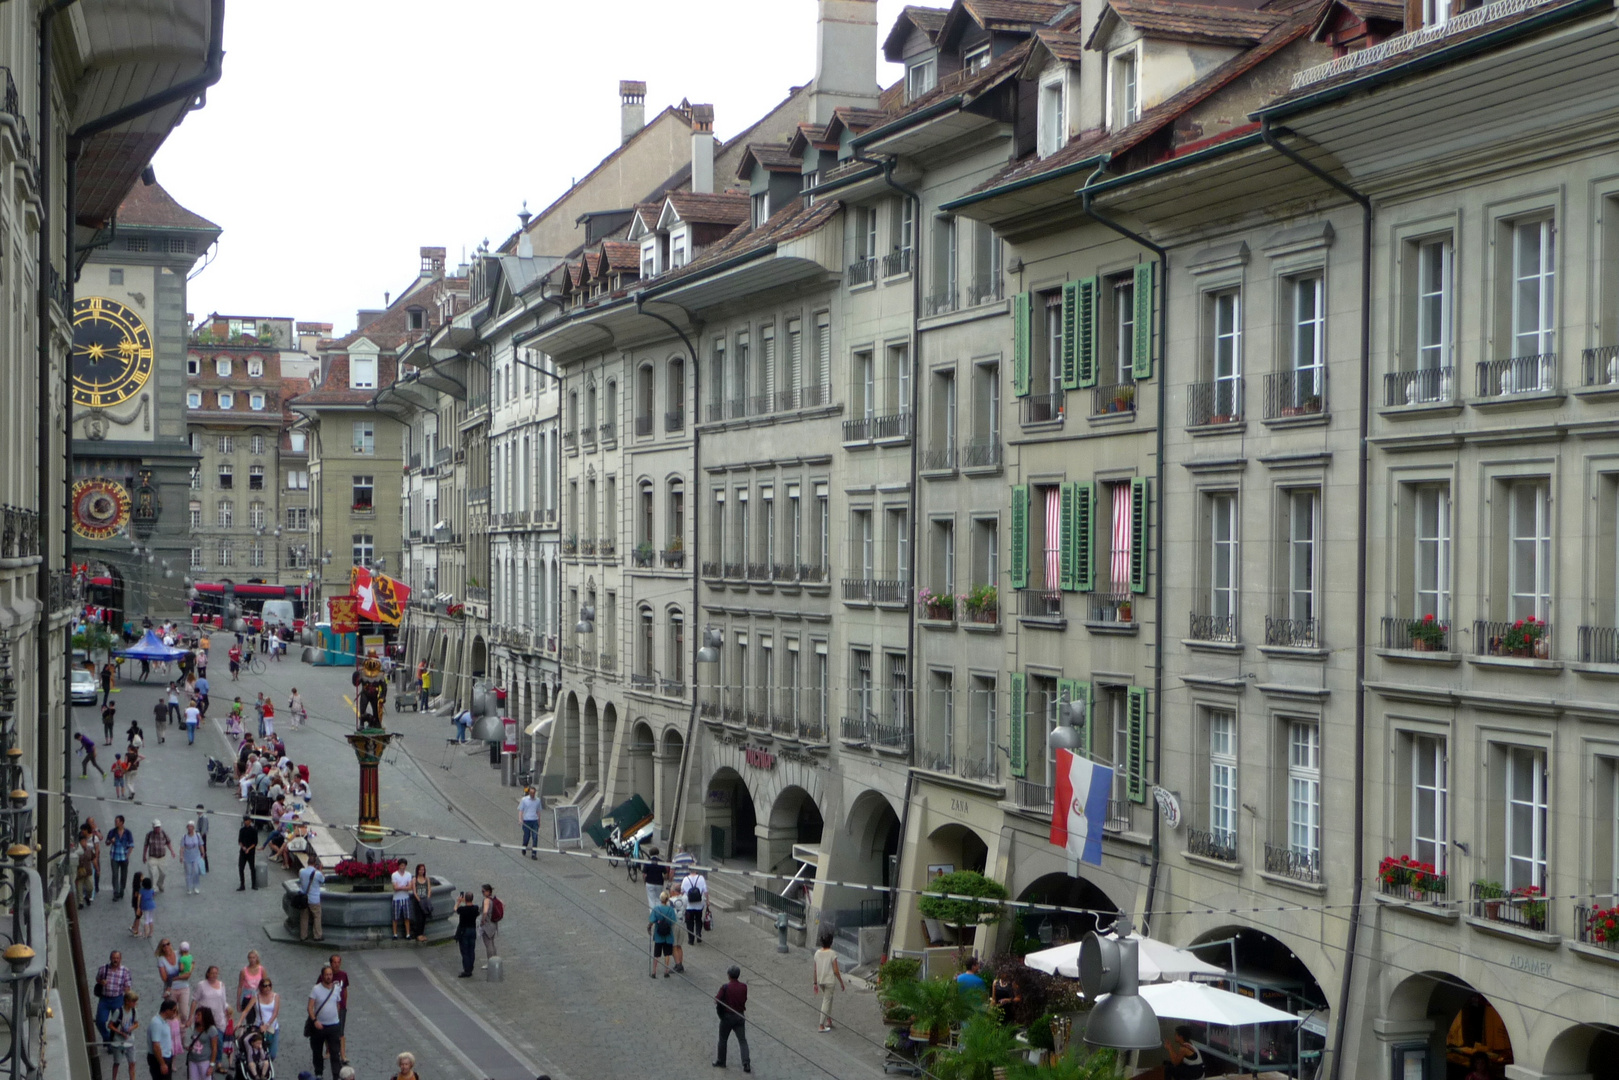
[349,134]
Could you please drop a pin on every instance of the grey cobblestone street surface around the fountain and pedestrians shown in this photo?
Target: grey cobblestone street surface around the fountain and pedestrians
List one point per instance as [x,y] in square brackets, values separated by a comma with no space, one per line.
[576,1001]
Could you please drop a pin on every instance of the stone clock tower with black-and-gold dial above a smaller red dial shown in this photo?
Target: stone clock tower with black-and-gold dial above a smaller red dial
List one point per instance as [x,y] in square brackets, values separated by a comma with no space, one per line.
[134,464]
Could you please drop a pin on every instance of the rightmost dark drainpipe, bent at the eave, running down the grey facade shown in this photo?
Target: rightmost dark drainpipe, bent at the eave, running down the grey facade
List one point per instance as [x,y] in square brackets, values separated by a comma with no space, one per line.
[1268,134]
